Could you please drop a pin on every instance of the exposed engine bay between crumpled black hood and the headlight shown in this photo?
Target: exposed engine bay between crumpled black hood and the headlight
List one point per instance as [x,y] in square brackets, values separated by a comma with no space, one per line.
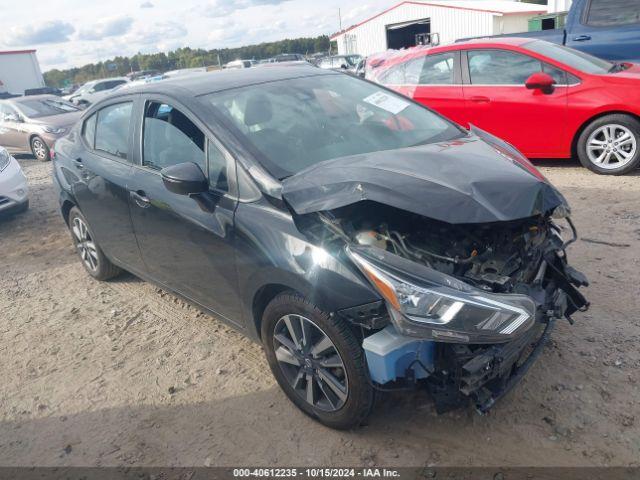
[495,257]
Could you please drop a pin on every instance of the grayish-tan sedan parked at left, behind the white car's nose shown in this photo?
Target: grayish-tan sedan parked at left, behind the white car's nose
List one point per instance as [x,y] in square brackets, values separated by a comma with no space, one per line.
[33,124]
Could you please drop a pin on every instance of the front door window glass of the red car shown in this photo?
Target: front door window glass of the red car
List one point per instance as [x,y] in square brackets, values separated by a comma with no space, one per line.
[500,67]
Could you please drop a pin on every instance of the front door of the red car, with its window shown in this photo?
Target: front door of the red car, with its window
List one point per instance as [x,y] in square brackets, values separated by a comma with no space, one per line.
[498,101]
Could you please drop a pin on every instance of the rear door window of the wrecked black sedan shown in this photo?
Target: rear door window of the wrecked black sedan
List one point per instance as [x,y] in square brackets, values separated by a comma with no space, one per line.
[112,129]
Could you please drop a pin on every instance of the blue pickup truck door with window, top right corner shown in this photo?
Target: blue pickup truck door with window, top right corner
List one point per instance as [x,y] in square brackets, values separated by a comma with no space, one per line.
[608,29]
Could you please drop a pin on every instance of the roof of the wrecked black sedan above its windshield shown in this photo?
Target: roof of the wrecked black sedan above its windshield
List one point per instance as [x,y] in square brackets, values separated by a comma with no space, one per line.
[211,82]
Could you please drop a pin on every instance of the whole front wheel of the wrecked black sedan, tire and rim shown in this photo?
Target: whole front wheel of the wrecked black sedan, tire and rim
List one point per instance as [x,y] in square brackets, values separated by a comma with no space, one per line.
[356,399]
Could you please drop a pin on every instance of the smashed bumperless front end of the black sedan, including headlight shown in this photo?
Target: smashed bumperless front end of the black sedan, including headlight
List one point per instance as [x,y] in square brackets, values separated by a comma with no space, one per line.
[516,261]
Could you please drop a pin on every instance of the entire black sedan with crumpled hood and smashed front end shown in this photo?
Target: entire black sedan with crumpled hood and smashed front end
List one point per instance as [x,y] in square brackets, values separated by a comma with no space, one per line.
[368,243]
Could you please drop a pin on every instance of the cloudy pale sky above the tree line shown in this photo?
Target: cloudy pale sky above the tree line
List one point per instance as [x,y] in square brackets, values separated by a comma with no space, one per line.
[72,33]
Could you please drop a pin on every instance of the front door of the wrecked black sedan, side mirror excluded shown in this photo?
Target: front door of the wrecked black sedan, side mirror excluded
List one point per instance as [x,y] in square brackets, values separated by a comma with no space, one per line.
[187,243]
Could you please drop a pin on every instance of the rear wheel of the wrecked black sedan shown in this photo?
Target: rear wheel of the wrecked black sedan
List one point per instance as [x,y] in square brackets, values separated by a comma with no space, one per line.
[93,259]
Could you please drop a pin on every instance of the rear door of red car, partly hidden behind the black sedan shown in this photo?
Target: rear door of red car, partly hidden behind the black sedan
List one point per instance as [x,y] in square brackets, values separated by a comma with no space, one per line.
[433,80]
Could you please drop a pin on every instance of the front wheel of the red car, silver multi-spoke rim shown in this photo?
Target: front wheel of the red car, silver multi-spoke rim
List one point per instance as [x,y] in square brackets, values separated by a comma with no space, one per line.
[599,142]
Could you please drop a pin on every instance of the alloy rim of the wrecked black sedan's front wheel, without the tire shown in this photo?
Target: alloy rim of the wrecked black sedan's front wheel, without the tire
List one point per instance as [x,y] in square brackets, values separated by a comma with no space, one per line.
[310,362]
